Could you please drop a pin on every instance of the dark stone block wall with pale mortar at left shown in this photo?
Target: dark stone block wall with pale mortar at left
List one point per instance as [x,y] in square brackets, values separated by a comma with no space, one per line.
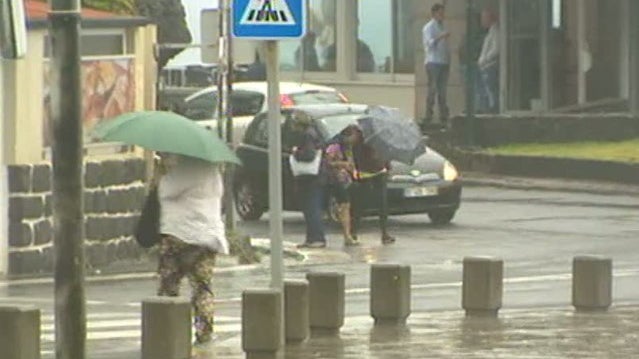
[114,194]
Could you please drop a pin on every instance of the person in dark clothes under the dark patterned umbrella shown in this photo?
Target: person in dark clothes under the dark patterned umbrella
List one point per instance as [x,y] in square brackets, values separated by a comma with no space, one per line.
[371,178]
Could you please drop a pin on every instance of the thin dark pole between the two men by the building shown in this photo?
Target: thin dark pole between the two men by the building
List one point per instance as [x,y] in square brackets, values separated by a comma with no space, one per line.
[470,76]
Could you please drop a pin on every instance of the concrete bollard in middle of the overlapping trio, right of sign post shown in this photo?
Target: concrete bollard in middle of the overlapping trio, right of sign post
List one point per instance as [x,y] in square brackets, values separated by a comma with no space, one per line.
[296,318]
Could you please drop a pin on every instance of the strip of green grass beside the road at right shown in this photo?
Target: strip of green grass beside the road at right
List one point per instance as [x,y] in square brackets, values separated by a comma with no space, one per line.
[623,151]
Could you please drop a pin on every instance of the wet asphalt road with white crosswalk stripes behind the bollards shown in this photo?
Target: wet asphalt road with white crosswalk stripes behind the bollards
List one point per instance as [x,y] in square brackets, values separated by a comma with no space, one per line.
[536,233]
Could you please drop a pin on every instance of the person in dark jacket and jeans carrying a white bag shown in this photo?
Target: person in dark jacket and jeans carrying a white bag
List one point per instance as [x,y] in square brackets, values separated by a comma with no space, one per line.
[310,188]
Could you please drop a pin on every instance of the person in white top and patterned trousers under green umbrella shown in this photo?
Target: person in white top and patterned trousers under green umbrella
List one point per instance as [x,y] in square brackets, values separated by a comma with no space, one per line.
[190,194]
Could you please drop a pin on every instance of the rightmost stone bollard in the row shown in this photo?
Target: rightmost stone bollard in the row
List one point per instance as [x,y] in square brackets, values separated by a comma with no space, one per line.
[591,283]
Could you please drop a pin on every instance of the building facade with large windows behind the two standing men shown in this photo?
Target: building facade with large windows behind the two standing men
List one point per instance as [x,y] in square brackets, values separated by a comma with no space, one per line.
[554,54]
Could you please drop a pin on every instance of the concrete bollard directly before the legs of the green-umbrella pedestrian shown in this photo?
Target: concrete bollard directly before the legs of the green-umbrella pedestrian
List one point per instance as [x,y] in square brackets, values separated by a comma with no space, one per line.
[166,328]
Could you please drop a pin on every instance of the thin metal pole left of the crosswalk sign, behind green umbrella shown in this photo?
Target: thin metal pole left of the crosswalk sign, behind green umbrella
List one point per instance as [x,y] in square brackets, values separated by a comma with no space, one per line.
[228,198]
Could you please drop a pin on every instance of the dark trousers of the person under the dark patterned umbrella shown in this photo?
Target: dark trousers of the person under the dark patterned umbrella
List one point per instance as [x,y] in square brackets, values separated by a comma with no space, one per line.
[362,193]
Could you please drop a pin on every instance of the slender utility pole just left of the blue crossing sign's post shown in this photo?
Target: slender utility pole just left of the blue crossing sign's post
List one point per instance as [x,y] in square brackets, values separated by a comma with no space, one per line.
[225,110]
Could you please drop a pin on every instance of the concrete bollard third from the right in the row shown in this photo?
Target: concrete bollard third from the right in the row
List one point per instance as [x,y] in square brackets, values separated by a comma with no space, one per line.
[390,293]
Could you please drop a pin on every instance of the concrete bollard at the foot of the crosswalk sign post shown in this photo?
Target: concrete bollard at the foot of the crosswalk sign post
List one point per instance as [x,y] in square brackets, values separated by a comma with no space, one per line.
[261,323]
